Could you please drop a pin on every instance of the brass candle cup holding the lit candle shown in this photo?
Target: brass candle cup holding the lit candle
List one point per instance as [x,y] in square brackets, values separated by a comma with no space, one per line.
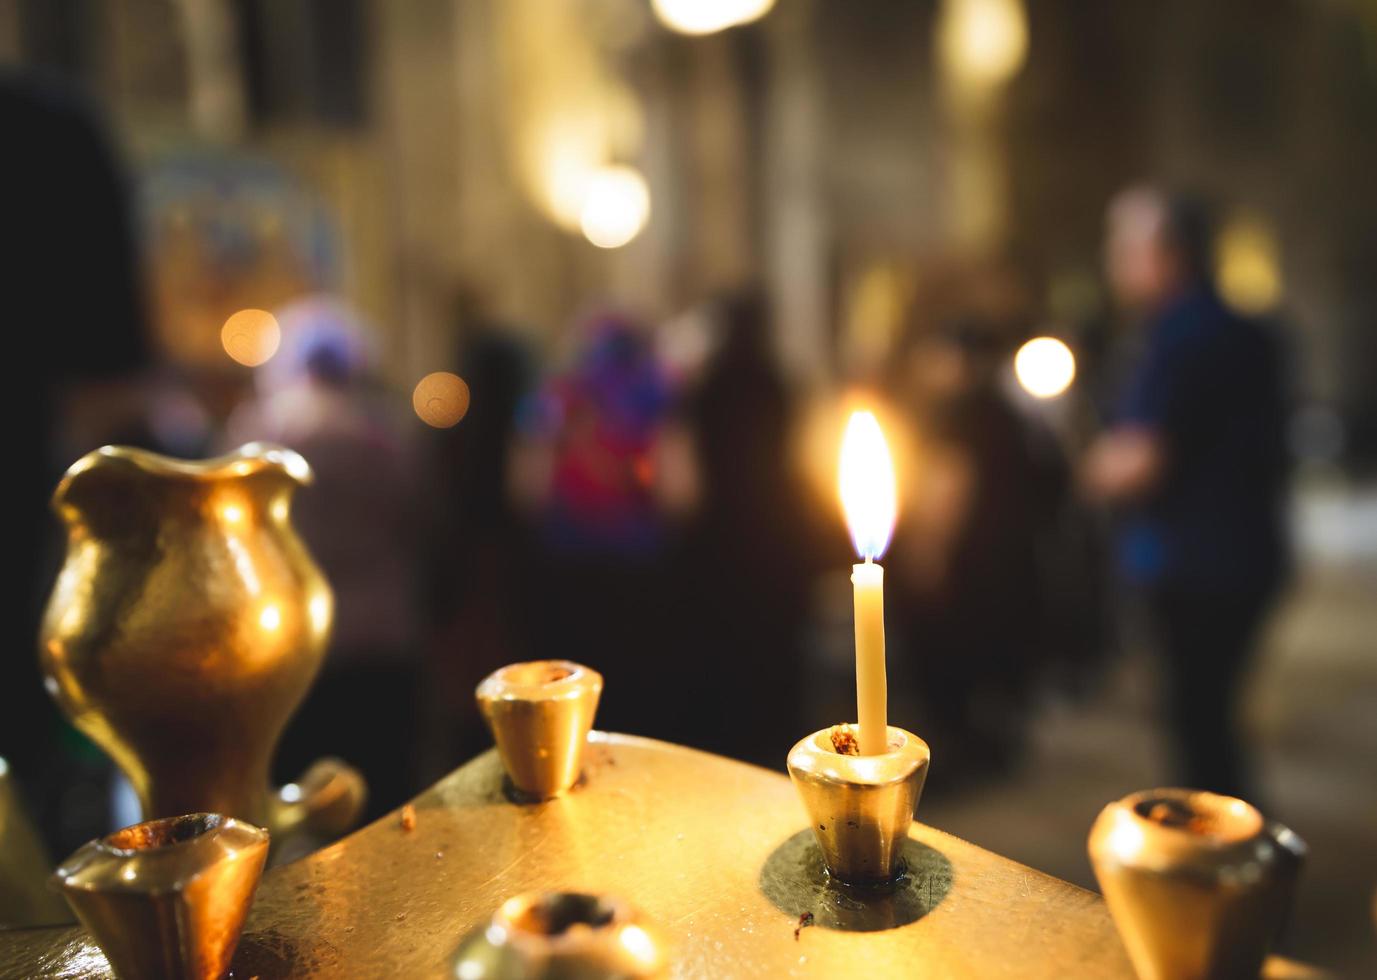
[860,807]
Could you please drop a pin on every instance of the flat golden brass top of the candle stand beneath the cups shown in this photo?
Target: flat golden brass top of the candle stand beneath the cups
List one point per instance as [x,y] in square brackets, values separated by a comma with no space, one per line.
[717,854]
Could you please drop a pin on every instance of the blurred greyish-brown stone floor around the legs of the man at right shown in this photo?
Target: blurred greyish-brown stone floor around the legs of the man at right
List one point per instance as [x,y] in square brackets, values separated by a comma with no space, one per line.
[1313,711]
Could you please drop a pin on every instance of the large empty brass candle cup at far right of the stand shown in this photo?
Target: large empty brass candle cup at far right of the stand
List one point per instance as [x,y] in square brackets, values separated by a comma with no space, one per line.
[1199,884]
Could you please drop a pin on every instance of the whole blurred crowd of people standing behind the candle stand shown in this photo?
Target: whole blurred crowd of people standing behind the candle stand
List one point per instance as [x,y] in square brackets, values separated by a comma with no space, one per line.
[648,513]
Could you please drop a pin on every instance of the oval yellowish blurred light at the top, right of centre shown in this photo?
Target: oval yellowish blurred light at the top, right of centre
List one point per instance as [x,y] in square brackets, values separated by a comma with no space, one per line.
[982,42]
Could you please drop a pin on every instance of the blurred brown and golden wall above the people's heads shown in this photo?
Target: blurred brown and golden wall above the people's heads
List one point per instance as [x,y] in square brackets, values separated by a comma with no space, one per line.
[812,149]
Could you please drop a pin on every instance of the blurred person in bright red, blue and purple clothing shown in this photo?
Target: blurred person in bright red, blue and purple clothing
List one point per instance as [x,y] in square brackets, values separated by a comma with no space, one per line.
[586,473]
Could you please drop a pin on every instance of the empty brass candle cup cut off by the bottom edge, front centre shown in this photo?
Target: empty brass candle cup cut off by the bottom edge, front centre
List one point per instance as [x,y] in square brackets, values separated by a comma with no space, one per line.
[563,937]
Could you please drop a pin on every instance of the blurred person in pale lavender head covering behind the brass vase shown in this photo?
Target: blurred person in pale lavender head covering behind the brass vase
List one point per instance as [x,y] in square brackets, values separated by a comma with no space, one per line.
[361,521]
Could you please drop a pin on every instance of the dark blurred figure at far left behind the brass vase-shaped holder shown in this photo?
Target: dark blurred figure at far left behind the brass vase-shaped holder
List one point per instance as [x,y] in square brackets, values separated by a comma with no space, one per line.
[75,312]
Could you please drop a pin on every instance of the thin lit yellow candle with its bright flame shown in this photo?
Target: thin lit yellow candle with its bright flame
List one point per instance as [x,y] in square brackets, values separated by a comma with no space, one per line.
[868,499]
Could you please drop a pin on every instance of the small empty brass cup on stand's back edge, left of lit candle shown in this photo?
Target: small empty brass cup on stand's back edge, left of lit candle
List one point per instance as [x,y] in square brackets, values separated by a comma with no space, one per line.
[540,715]
